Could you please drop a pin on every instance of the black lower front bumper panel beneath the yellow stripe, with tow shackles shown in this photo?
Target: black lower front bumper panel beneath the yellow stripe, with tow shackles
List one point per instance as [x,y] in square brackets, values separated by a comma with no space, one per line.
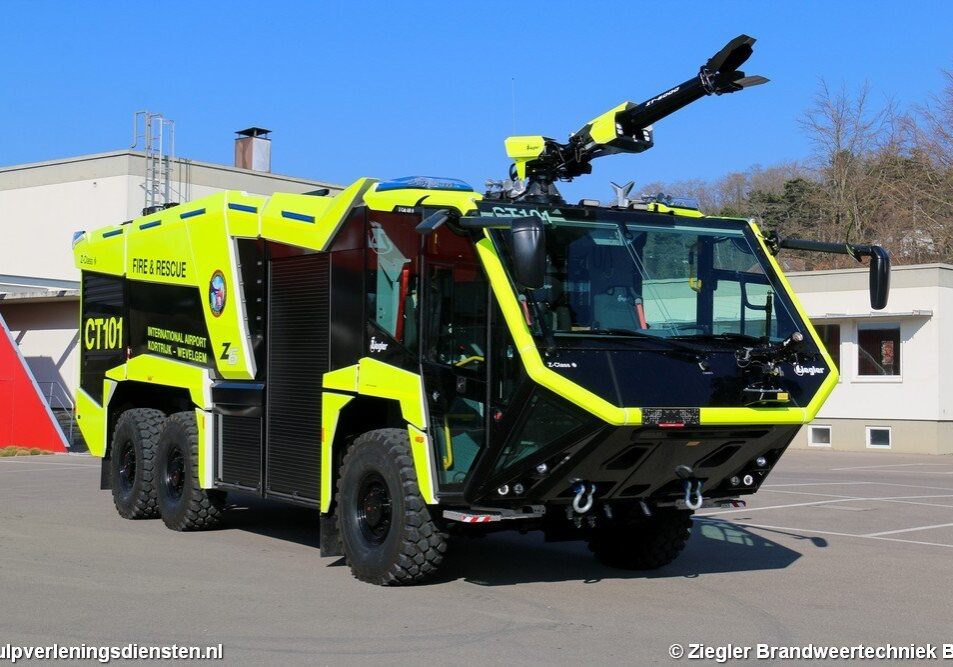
[626,463]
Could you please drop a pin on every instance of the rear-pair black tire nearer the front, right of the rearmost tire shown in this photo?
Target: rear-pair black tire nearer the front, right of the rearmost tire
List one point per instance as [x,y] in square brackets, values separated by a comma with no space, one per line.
[183,504]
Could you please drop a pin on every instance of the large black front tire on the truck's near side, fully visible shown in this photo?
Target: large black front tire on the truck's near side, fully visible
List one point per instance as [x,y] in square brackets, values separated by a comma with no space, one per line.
[387,532]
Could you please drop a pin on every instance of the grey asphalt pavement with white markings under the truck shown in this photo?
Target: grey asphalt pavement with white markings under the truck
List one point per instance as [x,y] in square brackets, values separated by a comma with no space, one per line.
[836,549]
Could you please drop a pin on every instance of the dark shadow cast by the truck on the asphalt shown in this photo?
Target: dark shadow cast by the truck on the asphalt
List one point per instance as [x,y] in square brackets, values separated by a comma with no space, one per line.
[504,559]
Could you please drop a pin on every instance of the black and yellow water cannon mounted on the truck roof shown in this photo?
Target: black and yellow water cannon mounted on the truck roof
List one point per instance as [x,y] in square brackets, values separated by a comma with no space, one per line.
[626,128]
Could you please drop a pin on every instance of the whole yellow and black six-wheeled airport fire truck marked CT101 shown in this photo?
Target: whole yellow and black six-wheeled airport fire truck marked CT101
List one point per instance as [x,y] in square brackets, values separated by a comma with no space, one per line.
[416,360]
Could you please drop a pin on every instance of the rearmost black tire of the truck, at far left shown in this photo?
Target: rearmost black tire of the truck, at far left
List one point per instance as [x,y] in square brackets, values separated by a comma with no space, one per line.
[132,462]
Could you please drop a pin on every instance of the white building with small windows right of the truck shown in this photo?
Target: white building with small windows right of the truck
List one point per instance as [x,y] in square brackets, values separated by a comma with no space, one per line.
[896,377]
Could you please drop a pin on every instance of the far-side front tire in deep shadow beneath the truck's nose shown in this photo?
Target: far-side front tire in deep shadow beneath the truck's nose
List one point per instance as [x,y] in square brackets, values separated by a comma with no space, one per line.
[646,544]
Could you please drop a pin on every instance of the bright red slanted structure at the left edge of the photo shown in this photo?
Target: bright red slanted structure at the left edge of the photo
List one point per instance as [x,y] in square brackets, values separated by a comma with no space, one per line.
[25,418]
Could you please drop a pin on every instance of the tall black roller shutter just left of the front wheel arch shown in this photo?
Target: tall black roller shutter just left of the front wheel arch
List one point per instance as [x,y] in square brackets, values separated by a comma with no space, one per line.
[297,358]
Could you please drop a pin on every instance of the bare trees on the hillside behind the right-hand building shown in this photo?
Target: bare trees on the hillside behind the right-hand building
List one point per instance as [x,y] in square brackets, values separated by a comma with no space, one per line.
[875,174]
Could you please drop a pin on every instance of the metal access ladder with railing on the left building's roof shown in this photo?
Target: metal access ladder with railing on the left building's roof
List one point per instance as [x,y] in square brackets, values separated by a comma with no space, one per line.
[157,137]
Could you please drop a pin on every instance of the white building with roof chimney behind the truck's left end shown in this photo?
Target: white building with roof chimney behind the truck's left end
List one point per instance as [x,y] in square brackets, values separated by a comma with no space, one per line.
[42,204]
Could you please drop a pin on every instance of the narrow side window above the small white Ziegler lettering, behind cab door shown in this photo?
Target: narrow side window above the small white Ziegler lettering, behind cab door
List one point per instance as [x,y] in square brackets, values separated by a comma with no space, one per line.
[392,276]
